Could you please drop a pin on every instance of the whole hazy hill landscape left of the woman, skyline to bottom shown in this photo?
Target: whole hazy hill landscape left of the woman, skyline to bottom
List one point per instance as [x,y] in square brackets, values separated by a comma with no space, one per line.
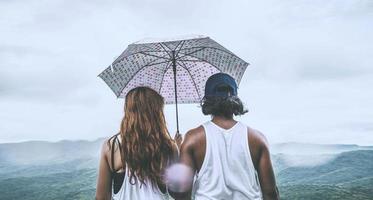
[49,170]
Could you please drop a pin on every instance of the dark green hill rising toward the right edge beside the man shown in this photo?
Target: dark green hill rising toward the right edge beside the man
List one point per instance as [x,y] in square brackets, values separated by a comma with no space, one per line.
[347,176]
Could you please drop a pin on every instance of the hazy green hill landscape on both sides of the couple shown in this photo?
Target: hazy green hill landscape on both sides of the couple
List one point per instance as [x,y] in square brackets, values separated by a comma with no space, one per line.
[68,170]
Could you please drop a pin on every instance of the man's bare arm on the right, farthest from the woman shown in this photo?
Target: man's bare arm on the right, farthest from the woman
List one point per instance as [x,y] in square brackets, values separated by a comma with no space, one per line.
[262,161]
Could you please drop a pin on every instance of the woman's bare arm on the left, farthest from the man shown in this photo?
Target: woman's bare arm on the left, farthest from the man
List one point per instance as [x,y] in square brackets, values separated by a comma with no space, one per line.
[103,191]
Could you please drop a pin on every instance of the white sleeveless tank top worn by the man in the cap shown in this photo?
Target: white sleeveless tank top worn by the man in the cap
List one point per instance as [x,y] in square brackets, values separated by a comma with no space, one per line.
[227,171]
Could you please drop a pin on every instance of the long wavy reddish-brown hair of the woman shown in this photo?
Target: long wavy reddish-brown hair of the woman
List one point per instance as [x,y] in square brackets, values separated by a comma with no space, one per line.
[147,145]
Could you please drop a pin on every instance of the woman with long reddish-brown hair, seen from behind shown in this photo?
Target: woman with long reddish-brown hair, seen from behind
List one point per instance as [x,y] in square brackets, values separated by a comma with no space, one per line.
[133,161]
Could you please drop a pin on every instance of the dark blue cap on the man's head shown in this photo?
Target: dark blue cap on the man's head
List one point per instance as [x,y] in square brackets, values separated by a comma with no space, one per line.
[218,80]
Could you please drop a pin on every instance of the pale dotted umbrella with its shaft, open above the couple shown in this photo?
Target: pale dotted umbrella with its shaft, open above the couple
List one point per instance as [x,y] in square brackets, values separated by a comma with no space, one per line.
[176,69]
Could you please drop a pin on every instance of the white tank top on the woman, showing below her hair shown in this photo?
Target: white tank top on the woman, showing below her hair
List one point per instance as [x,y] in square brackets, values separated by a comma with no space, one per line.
[135,192]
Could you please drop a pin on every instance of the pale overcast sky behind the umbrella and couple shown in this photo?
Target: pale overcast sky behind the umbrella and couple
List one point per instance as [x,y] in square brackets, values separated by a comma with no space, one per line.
[310,78]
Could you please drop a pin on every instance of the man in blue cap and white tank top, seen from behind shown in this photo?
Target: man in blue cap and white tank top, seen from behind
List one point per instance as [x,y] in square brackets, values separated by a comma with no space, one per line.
[231,160]
